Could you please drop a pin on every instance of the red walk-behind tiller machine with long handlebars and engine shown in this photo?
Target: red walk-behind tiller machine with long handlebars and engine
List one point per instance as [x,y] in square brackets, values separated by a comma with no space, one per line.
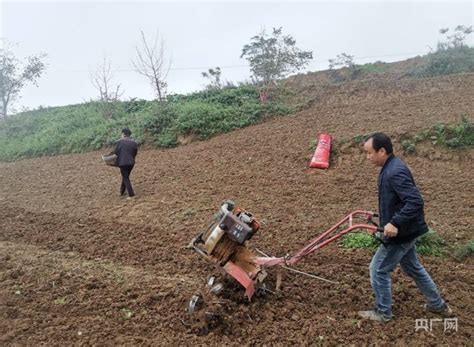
[224,244]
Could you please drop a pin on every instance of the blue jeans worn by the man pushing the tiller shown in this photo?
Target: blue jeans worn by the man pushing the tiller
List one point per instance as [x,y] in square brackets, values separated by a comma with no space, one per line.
[384,262]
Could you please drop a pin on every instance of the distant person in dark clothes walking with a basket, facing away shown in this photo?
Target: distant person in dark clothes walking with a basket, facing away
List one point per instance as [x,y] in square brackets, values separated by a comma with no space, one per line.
[126,151]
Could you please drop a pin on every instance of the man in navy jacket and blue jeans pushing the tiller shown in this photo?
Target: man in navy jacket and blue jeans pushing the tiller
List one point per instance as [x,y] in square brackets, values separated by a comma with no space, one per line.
[402,218]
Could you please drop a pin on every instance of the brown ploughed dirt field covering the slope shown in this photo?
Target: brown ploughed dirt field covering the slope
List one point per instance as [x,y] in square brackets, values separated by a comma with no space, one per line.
[80,265]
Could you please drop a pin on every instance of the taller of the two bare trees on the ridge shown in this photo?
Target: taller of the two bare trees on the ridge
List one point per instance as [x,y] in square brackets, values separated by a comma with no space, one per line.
[152,64]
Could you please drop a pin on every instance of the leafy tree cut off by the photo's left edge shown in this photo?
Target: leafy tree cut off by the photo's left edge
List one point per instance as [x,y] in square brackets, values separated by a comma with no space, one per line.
[16,74]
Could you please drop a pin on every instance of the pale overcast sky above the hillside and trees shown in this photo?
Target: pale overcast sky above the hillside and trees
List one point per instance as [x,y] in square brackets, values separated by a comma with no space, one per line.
[76,36]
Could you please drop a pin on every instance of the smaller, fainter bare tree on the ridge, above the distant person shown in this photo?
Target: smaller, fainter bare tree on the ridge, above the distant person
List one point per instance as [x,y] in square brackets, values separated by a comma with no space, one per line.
[102,80]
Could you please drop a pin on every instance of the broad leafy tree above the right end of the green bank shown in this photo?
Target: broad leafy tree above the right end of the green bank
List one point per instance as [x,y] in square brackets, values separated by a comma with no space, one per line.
[273,57]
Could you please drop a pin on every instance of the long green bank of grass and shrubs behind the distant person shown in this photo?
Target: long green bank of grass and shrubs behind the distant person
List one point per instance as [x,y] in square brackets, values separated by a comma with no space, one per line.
[95,125]
